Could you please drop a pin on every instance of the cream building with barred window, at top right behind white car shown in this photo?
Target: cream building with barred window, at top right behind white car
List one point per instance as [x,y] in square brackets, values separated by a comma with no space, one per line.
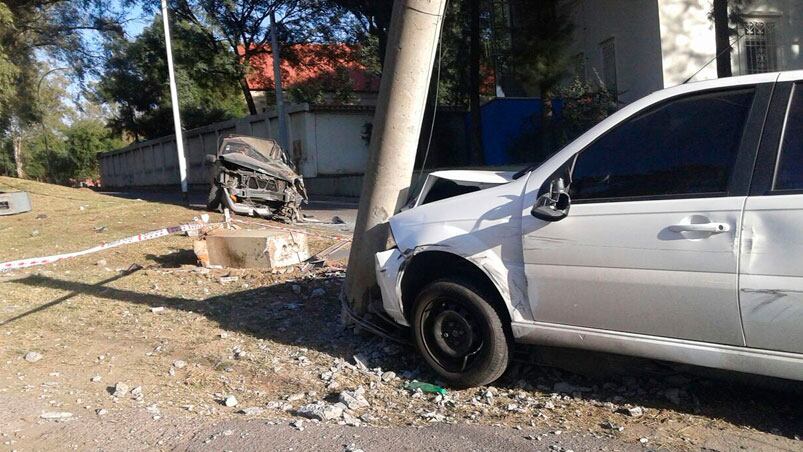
[635,47]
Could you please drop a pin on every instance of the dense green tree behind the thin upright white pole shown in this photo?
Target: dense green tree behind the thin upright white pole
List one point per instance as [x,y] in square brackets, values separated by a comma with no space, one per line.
[134,81]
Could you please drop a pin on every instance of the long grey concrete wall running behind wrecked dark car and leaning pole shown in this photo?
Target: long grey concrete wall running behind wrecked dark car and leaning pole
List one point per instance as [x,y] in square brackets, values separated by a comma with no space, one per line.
[329,145]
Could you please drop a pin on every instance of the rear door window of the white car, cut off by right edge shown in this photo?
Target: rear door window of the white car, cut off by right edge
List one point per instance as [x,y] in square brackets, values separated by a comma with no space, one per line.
[789,174]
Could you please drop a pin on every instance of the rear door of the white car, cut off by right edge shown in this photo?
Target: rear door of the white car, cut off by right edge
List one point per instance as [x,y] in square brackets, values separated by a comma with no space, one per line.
[771,271]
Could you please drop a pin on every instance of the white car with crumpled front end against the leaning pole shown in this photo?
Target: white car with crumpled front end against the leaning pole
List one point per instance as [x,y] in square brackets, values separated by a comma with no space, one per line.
[669,231]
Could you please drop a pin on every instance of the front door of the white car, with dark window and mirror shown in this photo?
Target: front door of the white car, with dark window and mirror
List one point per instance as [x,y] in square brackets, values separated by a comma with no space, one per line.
[649,245]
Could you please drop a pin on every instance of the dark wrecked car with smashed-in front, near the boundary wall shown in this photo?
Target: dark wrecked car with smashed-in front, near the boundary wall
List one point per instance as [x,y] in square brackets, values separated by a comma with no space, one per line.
[254,176]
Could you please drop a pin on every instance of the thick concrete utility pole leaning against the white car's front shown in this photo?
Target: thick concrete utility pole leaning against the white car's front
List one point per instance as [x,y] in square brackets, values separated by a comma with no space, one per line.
[412,44]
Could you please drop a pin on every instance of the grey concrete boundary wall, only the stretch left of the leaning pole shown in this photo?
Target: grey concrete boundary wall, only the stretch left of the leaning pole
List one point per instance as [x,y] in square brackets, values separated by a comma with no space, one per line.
[323,141]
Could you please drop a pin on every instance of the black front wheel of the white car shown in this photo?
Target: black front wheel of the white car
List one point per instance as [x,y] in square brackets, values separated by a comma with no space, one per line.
[460,334]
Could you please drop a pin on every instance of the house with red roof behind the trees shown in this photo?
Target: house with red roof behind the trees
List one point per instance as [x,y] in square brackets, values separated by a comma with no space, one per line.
[328,72]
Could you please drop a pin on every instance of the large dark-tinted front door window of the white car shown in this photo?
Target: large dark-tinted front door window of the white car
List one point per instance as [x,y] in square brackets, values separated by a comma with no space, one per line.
[686,146]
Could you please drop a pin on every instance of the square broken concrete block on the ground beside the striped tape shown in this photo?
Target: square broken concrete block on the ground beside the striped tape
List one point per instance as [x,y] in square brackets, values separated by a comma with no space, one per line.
[246,248]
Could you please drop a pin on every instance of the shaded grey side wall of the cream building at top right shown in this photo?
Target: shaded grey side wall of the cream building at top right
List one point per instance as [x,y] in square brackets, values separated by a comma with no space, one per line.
[633,25]
